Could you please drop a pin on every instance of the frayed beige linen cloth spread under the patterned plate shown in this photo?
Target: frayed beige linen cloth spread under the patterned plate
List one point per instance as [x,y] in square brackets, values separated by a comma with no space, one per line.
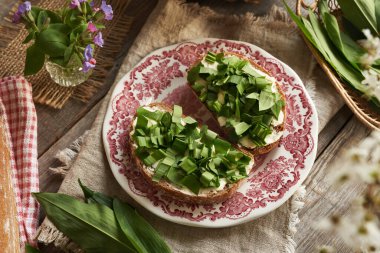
[174,21]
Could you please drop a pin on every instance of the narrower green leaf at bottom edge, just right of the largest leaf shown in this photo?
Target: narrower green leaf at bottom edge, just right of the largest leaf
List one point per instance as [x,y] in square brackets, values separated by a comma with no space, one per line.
[143,236]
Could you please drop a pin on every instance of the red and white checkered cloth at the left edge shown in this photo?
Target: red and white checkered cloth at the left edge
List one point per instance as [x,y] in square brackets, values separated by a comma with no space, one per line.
[17,108]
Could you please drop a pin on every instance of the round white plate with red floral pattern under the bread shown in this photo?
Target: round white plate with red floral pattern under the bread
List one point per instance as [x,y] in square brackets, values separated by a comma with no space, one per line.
[161,76]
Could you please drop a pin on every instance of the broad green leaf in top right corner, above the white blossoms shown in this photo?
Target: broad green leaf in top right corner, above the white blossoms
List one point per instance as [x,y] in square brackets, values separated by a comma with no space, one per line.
[361,13]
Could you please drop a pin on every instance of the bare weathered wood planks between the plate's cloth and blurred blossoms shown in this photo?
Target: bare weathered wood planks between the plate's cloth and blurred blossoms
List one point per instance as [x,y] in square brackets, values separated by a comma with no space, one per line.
[322,199]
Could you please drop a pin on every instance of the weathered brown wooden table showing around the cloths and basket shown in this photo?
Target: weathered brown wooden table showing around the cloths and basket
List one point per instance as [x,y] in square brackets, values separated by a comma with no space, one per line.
[57,129]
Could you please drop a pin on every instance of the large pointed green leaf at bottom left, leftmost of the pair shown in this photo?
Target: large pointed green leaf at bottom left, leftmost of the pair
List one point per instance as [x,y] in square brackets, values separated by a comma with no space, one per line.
[92,226]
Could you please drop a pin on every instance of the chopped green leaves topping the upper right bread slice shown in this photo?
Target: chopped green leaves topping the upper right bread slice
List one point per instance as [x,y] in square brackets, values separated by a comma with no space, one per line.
[243,99]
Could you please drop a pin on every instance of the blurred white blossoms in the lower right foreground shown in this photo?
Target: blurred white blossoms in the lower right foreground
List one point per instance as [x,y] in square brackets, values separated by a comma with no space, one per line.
[361,228]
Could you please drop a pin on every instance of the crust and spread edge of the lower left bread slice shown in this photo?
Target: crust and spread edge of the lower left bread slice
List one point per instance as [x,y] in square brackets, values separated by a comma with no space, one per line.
[206,197]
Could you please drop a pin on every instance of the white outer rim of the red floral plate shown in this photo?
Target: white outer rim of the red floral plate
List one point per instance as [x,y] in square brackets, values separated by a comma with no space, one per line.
[220,223]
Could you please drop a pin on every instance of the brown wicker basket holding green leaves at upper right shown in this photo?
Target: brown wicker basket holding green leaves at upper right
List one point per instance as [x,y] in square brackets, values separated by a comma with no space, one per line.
[354,100]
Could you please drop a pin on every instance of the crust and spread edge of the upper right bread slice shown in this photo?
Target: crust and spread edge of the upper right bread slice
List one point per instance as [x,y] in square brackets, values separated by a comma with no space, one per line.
[279,129]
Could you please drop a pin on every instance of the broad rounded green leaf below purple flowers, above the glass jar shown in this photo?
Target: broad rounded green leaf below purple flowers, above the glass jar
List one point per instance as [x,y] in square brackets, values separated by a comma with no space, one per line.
[53,42]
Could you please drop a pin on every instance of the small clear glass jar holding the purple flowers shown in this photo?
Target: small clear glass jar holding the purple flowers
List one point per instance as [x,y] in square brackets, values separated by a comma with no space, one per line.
[68,76]
